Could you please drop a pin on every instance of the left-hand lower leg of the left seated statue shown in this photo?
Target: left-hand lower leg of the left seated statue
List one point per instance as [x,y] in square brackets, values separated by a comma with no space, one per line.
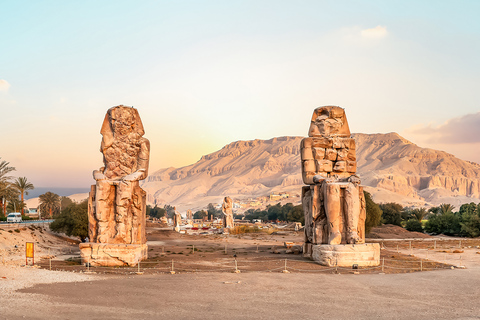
[103,210]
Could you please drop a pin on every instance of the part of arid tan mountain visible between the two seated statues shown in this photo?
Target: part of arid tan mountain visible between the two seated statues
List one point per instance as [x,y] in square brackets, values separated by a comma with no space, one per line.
[242,169]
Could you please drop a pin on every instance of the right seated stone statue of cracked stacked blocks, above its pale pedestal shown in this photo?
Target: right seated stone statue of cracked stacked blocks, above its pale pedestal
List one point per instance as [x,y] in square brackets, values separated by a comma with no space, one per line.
[333,201]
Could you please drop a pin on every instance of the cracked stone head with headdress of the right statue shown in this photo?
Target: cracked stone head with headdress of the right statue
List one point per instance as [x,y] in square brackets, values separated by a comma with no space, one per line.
[329,121]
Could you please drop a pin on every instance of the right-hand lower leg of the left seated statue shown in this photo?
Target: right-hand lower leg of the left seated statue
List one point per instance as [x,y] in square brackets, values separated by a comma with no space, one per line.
[123,202]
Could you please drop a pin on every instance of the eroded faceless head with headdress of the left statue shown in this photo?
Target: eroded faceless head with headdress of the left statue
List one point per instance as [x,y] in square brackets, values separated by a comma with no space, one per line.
[121,121]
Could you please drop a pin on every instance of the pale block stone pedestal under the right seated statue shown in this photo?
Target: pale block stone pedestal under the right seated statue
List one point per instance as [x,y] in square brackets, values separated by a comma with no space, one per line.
[346,255]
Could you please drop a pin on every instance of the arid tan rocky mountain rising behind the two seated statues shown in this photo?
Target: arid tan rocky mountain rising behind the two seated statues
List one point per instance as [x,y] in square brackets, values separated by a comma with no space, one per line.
[391,167]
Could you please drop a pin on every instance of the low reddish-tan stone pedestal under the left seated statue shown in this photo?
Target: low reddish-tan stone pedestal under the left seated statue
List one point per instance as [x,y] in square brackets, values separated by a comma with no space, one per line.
[112,255]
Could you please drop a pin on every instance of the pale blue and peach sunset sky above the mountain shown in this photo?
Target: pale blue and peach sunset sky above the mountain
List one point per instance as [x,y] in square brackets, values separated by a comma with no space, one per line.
[205,73]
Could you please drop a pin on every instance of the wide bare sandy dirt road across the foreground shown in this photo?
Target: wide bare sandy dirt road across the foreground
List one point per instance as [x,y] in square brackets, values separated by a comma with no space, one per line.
[448,294]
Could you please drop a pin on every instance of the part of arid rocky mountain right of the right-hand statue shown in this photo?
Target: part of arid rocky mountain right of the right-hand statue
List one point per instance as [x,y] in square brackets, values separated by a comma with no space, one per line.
[396,169]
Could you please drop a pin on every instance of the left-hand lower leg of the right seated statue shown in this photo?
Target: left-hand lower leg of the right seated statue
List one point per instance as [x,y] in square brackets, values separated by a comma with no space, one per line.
[331,193]
